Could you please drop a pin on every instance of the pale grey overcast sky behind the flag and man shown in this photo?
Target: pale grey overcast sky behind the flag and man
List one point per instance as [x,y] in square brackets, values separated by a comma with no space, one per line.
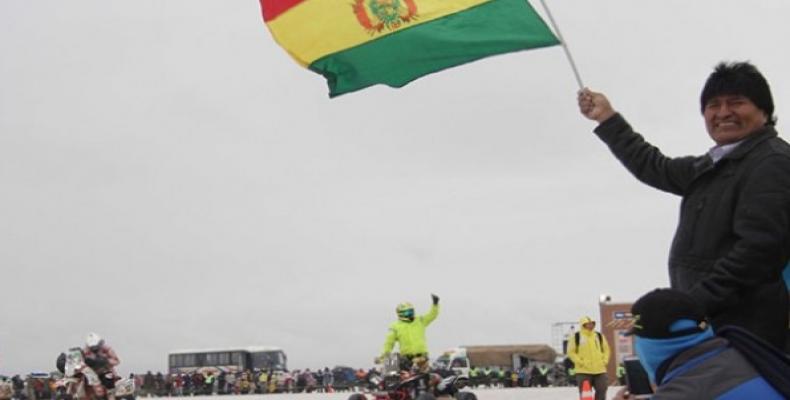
[170,178]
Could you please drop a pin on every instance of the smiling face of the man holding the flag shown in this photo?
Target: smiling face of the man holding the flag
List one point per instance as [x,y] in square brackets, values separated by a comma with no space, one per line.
[730,118]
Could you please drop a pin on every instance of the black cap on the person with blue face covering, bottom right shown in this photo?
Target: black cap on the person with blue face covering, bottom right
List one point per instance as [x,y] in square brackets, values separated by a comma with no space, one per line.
[656,312]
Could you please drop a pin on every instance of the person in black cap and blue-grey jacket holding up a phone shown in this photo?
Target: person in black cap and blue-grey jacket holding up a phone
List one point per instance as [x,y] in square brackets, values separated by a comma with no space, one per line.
[683,357]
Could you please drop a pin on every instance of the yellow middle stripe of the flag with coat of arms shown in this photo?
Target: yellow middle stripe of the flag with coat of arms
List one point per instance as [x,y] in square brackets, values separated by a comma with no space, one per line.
[316,28]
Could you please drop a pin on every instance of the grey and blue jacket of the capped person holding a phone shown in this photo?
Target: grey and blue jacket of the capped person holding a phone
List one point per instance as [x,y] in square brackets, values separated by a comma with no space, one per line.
[711,370]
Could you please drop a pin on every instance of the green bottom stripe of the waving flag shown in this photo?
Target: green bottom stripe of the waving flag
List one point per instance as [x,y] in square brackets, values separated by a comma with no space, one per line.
[495,27]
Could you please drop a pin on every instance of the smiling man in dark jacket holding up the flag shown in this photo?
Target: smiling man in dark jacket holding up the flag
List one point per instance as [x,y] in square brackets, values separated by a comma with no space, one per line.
[733,236]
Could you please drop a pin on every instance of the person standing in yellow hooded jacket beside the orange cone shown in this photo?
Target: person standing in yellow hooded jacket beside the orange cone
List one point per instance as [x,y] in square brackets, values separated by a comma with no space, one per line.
[589,352]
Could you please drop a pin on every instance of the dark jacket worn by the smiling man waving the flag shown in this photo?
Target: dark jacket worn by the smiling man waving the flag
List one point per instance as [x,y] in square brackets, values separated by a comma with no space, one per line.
[733,236]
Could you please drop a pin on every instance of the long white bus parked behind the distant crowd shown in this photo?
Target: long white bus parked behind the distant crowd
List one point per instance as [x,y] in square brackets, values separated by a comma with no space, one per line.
[233,359]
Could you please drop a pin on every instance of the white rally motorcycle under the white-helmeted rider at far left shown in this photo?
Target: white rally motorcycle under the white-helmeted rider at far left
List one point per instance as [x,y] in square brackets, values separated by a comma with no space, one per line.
[81,382]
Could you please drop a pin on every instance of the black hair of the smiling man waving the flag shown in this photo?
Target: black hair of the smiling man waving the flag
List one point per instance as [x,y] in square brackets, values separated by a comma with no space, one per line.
[743,79]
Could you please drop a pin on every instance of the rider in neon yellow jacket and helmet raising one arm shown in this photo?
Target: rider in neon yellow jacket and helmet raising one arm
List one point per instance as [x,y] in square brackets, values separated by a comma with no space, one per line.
[409,332]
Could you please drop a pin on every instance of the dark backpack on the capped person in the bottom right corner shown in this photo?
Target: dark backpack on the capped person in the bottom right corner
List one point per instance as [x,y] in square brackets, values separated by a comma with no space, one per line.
[770,362]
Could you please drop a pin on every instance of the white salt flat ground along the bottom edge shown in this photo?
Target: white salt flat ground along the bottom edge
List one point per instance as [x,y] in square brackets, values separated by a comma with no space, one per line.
[482,394]
